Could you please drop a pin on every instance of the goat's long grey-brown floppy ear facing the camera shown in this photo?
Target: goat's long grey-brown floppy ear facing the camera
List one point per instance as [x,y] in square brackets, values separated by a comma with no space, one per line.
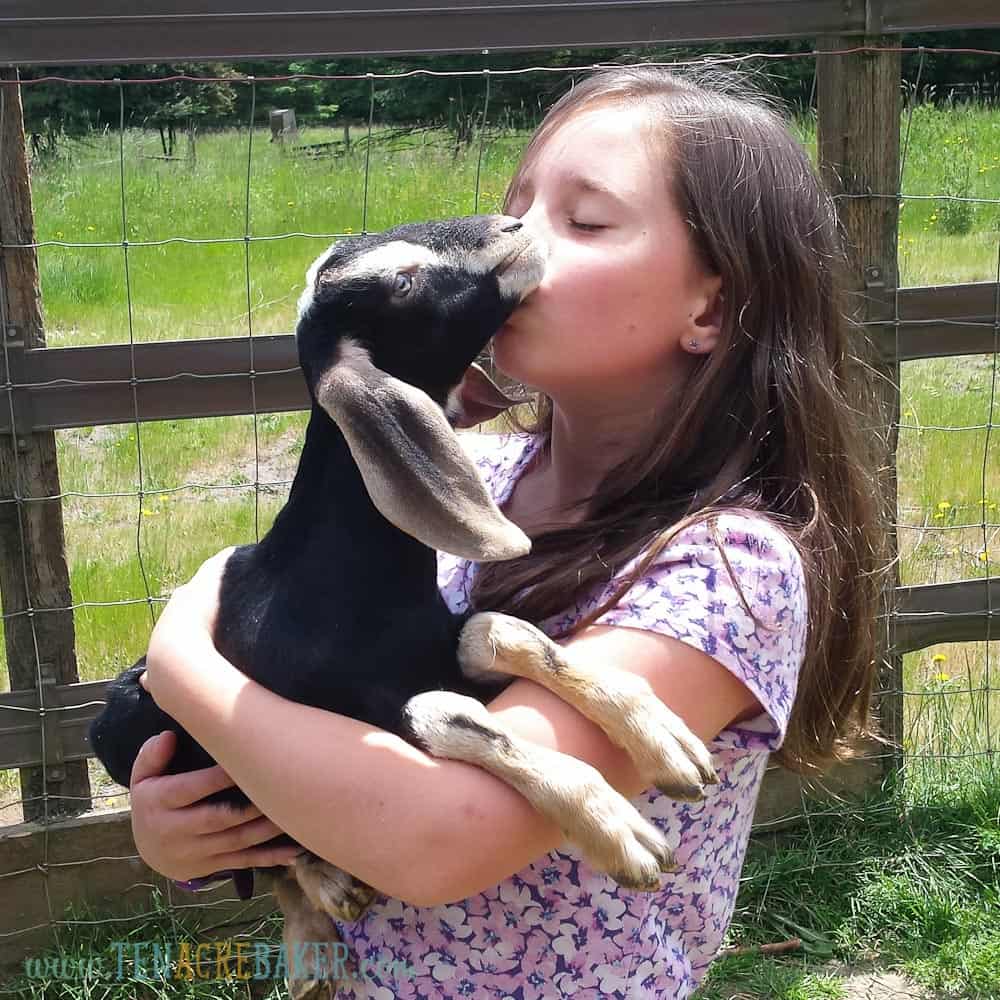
[414,467]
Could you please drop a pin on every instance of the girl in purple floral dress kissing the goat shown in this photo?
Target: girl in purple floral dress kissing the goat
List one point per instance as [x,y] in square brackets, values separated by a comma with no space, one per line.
[697,491]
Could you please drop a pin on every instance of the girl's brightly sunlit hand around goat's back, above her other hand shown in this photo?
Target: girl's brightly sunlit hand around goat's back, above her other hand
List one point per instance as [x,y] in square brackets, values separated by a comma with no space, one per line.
[183,632]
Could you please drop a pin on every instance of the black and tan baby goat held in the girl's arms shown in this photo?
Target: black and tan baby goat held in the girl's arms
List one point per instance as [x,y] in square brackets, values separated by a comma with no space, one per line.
[338,606]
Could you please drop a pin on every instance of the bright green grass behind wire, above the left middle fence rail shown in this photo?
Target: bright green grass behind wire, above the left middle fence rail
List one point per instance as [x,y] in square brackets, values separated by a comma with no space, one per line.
[182,291]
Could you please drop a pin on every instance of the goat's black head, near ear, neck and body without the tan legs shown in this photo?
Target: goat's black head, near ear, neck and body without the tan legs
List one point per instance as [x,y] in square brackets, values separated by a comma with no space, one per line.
[338,606]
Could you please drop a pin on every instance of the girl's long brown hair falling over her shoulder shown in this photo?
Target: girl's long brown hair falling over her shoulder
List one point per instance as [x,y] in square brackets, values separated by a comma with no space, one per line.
[769,422]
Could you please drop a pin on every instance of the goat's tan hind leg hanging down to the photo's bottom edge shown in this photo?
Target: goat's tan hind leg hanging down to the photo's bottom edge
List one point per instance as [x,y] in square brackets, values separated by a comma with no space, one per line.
[318,963]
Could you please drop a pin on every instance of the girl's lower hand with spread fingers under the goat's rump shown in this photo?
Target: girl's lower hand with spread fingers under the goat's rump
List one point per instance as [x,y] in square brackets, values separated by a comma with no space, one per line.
[183,840]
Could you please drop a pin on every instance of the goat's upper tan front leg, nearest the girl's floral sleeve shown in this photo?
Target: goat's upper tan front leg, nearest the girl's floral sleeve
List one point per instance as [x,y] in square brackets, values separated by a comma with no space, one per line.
[664,750]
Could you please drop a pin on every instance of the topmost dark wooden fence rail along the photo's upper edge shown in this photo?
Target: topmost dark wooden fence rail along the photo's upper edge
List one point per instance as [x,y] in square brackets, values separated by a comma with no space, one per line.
[118,32]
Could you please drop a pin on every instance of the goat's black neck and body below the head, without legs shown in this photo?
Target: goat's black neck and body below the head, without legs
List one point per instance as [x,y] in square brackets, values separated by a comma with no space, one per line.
[299,611]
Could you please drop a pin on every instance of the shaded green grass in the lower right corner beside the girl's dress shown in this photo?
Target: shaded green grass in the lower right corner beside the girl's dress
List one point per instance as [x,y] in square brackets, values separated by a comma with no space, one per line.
[916,891]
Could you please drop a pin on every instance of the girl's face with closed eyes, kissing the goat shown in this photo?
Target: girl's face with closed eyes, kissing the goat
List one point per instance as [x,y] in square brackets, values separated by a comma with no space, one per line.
[624,291]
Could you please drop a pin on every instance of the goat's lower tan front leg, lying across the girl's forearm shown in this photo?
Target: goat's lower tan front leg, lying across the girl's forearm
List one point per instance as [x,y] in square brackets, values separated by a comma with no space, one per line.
[608,829]
